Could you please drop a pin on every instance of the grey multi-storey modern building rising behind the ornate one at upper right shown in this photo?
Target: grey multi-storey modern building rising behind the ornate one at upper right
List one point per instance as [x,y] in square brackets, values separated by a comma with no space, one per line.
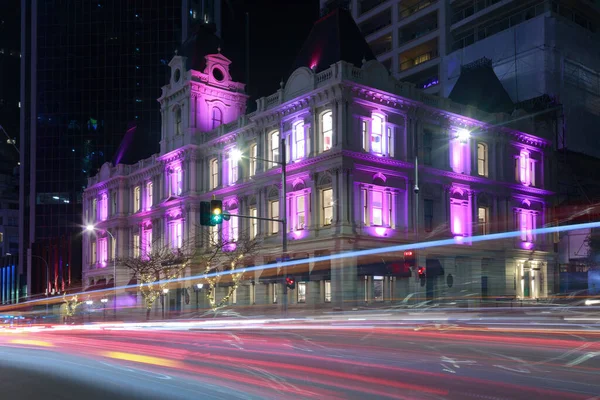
[537,47]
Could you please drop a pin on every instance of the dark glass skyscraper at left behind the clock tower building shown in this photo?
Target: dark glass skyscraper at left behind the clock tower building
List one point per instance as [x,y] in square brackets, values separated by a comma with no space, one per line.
[90,75]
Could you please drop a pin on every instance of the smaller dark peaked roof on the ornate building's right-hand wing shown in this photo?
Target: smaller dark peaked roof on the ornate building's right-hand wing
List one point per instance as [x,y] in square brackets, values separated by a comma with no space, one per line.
[479,86]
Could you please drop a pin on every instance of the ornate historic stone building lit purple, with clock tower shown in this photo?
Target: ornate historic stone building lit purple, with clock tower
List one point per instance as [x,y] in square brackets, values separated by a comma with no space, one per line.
[352,133]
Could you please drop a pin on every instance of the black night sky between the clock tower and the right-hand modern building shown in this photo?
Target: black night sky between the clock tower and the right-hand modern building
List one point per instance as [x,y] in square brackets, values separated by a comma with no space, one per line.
[278,28]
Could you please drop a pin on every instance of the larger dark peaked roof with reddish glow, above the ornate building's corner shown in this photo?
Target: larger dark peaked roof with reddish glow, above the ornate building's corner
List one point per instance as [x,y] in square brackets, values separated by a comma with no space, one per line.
[333,38]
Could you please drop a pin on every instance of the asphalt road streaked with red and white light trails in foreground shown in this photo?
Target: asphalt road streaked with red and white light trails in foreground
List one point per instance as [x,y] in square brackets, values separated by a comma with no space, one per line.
[355,359]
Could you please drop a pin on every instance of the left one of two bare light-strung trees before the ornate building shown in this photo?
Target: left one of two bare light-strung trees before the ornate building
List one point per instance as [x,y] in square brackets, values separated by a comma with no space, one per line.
[158,267]
